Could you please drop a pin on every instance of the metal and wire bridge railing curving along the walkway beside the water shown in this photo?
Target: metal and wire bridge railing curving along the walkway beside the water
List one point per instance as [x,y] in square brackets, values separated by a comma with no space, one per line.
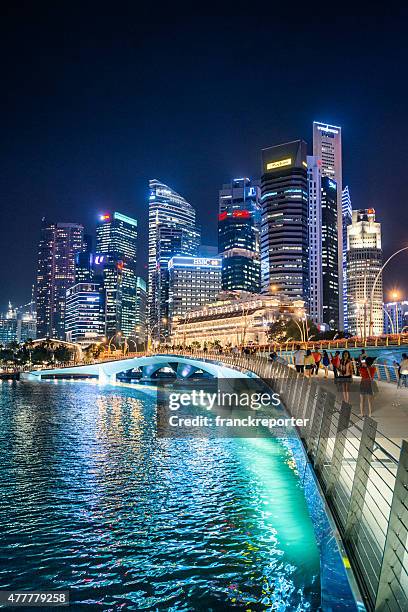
[363,474]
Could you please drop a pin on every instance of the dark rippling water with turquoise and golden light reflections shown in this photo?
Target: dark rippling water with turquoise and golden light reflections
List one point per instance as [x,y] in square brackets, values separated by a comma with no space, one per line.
[94,503]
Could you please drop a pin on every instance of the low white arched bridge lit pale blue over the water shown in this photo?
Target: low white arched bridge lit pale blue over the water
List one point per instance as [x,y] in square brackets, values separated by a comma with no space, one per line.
[107,372]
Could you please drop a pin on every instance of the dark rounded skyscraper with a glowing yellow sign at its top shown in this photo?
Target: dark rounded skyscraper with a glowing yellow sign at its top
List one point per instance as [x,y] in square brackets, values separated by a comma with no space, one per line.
[284,229]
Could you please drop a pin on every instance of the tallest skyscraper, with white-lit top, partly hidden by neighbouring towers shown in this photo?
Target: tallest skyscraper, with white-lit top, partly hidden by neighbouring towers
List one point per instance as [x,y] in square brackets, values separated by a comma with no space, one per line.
[327,147]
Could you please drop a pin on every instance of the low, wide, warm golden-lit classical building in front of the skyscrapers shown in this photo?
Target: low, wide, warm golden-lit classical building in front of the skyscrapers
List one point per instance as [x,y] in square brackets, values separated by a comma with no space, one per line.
[237,318]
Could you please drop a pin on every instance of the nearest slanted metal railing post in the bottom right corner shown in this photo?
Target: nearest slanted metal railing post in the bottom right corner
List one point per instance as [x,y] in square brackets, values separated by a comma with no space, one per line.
[394,551]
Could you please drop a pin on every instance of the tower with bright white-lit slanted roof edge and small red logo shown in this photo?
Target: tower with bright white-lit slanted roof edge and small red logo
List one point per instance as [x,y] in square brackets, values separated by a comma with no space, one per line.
[116,241]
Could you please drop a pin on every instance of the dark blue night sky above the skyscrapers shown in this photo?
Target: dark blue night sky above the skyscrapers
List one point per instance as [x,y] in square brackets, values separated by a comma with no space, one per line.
[94,104]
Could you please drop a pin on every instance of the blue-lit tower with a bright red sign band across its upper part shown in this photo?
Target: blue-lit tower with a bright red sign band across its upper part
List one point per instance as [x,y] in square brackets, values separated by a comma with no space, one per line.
[239,221]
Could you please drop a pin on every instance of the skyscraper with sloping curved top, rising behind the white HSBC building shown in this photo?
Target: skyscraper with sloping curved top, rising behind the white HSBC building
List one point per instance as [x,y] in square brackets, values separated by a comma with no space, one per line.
[173,231]
